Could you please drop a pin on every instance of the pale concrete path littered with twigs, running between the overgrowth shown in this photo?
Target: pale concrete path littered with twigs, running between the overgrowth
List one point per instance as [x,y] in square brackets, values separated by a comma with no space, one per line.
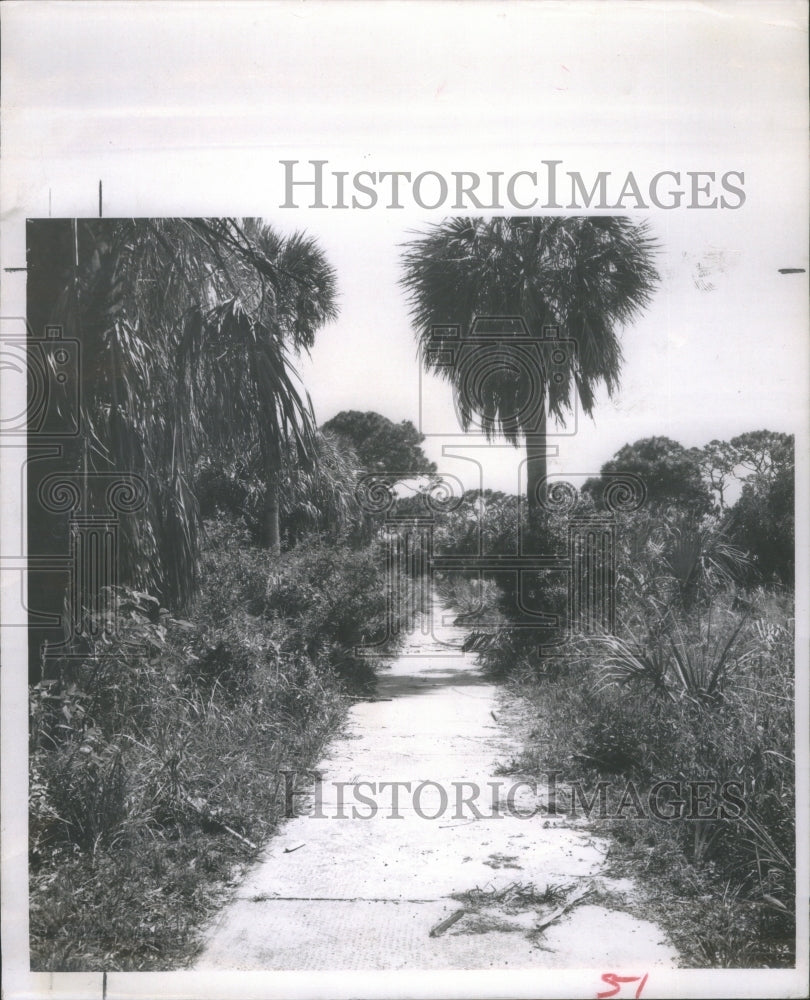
[351,883]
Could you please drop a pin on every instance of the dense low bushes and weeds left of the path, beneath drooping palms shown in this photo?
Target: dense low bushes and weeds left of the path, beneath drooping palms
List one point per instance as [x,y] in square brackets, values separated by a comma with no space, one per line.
[155,761]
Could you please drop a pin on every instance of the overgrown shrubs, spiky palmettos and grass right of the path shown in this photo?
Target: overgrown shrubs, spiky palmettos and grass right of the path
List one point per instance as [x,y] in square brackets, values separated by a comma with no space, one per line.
[695,683]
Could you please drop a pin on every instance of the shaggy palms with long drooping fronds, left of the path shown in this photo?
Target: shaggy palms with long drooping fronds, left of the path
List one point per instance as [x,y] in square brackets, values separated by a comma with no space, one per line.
[188,329]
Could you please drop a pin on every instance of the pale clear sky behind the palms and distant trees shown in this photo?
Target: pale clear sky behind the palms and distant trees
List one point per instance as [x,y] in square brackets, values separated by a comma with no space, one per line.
[714,355]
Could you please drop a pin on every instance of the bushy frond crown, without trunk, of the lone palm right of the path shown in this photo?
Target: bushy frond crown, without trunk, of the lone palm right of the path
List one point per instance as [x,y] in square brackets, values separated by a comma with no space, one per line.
[585,275]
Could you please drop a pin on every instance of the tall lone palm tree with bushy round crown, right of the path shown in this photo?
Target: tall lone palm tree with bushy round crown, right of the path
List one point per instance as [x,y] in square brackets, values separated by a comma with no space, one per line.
[585,275]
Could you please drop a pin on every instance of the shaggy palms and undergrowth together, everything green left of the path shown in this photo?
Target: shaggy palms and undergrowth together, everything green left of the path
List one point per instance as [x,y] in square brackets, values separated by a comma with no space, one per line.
[155,745]
